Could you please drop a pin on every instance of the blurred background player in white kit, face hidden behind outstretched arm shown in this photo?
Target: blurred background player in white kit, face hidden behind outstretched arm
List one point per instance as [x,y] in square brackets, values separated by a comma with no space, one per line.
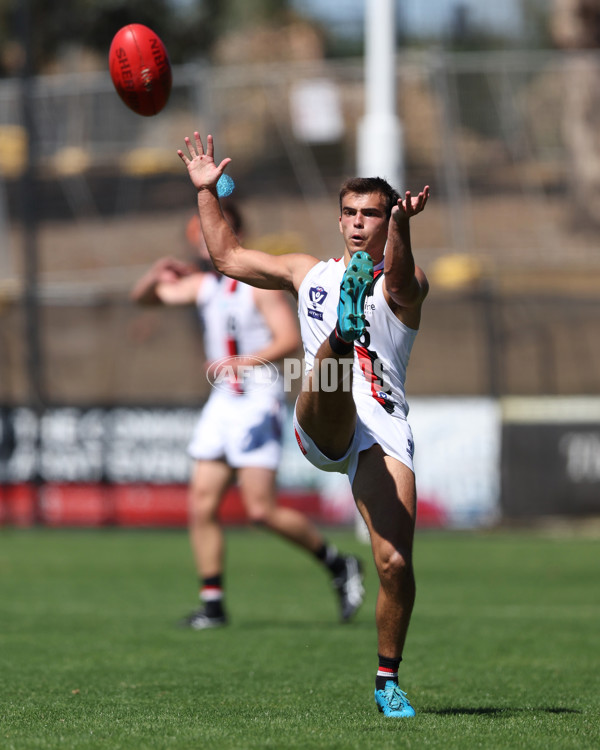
[240,429]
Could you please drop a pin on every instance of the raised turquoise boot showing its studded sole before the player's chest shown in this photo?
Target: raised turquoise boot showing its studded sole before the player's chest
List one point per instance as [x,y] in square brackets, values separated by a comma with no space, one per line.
[356,284]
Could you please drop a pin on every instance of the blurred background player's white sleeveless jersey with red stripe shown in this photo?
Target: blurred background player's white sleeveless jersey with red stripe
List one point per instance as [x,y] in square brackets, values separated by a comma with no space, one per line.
[233,326]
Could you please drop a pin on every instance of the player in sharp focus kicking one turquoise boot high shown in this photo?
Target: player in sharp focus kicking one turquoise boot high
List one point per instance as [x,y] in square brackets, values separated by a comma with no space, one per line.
[359,316]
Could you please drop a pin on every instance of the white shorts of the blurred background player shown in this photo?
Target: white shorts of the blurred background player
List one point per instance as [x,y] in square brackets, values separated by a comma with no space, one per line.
[239,429]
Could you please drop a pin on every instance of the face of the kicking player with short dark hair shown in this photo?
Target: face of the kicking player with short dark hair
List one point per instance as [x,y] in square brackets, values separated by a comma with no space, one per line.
[364,224]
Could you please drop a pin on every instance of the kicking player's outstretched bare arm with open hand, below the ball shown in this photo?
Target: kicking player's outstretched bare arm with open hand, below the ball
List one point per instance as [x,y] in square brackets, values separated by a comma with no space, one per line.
[229,257]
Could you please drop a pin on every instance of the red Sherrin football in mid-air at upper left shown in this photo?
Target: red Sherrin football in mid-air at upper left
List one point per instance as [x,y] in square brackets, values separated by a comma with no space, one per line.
[140,69]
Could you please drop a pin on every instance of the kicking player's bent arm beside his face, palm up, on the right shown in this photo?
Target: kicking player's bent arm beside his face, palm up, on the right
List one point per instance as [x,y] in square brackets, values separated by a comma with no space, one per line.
[405,283]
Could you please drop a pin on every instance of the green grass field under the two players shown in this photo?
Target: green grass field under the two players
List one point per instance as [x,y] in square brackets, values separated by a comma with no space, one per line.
[503,651]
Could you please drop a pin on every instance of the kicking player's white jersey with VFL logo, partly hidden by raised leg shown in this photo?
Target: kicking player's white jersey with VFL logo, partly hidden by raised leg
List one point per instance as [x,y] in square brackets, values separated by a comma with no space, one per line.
[380,356]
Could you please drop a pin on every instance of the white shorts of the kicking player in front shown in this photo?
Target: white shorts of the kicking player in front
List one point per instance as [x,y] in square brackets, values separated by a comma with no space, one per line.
[373,425]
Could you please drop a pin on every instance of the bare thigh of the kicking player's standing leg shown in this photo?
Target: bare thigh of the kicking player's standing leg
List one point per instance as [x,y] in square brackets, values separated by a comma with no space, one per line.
[385,493]
